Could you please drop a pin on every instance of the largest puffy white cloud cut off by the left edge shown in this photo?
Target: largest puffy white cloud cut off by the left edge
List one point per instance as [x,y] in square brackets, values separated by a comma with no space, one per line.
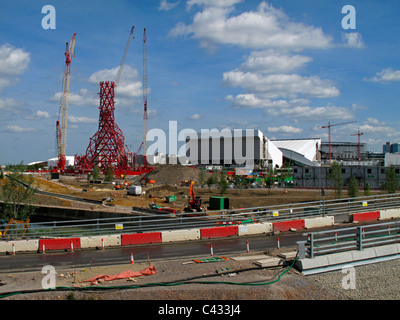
[13,63]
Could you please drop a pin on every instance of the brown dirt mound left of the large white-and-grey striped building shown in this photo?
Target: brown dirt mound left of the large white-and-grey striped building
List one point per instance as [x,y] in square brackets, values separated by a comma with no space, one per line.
[175,174]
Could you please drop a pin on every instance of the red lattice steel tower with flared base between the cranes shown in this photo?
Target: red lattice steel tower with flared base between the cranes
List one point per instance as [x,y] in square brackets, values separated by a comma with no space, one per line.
[107,147]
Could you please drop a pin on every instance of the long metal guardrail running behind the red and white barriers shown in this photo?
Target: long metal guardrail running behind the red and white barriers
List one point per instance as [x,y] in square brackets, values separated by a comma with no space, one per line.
[145,222]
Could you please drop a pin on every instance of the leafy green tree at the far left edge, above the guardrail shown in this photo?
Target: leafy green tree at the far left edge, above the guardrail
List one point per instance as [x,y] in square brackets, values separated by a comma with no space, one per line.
[17,194]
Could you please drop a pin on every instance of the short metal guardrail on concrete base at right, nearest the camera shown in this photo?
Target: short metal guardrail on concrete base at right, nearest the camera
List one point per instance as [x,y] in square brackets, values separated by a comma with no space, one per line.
[352,238]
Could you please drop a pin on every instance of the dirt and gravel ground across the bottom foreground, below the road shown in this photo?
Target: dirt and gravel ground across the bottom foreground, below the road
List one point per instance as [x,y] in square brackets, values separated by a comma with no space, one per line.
[379,281]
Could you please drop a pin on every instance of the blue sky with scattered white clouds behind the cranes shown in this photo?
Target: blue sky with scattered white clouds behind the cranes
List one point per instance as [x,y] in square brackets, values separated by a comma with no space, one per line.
[285,67]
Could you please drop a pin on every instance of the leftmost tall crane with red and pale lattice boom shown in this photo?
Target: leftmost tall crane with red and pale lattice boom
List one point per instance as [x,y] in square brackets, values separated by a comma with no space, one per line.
[61,129]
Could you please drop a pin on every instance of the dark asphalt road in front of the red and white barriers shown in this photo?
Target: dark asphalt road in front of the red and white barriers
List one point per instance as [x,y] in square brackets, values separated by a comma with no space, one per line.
[119,255]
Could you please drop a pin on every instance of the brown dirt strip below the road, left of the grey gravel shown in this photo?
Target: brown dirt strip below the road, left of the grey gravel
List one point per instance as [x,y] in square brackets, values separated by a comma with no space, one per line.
[237,283]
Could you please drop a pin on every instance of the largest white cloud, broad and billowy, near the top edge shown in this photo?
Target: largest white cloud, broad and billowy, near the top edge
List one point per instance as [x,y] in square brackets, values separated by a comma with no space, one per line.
[267,27]
